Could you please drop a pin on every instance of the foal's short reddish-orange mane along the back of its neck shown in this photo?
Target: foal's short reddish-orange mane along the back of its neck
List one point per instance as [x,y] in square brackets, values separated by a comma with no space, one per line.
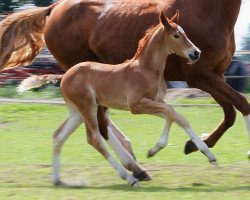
[144,41]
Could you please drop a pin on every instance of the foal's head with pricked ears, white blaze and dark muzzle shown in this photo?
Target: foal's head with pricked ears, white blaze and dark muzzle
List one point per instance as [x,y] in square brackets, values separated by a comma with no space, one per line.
[177,40]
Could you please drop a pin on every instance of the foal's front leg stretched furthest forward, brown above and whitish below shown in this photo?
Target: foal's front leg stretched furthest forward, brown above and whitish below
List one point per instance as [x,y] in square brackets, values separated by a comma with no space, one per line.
[148,106]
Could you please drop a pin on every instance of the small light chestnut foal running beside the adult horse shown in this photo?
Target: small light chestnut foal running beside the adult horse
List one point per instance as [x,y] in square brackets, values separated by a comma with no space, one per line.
[136,85]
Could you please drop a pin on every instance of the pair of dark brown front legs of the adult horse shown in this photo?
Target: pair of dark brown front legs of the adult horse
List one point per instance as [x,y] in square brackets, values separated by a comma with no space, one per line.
[228,98]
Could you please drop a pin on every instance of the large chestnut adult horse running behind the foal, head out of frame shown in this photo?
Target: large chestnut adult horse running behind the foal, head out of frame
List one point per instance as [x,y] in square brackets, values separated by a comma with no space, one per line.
[109,30]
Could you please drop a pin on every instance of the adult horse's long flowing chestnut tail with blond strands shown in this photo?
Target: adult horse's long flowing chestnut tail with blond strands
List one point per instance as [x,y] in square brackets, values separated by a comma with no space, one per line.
[21,36]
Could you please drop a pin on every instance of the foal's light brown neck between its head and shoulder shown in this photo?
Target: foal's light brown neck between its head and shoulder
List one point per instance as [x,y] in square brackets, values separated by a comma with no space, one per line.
[155,51]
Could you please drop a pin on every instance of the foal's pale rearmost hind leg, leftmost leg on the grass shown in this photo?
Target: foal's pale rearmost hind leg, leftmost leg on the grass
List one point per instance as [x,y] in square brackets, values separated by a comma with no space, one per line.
[60,136]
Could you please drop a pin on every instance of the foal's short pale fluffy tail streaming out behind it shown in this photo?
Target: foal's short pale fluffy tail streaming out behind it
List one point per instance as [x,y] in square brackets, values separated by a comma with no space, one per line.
[38,81]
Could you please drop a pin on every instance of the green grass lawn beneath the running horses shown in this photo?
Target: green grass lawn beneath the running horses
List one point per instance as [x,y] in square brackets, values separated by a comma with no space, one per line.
[26,150]
